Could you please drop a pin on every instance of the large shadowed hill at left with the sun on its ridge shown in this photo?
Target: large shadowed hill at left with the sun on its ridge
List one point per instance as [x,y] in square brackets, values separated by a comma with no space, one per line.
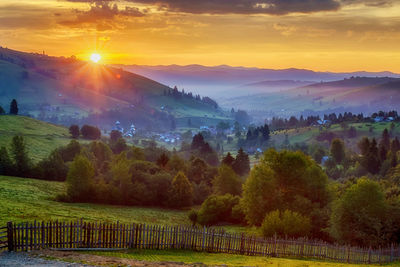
[63,90]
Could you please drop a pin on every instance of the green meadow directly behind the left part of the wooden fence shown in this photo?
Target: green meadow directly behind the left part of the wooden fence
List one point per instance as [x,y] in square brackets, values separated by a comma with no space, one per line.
[25,199]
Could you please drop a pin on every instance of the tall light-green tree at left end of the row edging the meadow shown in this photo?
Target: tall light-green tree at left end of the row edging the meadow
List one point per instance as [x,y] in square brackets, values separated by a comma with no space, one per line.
[80,179]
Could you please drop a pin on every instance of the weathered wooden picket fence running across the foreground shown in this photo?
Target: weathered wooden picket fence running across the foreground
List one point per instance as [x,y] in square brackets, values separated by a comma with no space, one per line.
[78,235]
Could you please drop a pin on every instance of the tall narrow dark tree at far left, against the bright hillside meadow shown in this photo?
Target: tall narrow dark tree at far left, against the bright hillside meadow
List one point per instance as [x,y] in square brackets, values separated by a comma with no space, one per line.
[20,156]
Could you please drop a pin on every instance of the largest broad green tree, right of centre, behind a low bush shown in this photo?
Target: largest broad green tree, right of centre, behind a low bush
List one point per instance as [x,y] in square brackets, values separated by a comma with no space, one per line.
[286,180]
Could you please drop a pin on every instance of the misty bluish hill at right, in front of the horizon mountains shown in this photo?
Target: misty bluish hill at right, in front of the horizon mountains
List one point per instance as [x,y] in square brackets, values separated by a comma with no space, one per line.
[357,94]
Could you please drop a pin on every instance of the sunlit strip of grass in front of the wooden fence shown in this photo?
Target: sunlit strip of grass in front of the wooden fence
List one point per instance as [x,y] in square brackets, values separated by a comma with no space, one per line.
[214,259]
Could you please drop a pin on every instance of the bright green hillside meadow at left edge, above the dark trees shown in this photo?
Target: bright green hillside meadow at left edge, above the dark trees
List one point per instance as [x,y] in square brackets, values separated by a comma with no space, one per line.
[41,137]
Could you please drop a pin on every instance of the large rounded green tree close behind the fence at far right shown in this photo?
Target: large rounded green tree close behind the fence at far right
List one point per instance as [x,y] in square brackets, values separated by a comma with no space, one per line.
[358,215]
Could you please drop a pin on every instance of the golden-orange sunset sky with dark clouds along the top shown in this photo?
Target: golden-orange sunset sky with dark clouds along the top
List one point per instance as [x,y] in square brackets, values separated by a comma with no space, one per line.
[322,35]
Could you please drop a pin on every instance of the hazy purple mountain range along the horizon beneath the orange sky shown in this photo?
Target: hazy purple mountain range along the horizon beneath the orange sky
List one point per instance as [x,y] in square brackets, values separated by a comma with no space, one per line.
[216,81]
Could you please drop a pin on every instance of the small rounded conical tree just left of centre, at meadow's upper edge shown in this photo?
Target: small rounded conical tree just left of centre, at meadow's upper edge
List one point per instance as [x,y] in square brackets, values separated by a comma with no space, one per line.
[181,192]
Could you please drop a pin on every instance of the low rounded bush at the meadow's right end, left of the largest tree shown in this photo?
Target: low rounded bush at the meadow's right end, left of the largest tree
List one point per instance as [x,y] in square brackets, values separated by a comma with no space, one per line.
[217,209]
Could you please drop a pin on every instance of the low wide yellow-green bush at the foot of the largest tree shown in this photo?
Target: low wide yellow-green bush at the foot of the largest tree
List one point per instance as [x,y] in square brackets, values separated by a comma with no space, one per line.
[285,224]
